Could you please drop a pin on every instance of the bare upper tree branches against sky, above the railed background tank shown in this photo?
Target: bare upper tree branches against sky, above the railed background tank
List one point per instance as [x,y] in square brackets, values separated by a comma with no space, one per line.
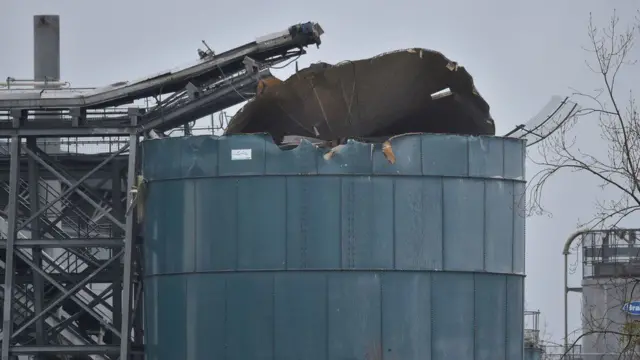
[609,49]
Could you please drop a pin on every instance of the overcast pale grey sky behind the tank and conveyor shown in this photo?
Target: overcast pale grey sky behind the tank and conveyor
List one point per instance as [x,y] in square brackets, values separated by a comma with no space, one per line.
[520,53]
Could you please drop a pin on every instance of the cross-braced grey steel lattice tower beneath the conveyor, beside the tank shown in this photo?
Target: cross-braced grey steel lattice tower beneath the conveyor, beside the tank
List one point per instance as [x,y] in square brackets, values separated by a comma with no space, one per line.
[71,260]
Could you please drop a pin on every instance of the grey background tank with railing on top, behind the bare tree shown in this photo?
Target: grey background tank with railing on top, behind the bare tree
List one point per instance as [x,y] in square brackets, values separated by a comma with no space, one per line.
[610,293]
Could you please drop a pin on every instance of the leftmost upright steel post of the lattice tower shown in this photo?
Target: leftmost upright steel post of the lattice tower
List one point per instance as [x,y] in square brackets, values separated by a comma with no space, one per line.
[7,310]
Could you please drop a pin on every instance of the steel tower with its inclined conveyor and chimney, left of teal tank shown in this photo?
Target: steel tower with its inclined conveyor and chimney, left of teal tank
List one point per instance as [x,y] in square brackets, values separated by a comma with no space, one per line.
[70,247]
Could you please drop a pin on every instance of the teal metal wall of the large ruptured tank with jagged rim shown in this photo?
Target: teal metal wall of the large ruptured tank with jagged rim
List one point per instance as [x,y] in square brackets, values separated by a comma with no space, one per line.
[299,254]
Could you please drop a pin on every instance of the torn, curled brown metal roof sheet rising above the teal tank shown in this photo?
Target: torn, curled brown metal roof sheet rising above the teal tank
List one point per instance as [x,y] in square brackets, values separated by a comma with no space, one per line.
[415,90]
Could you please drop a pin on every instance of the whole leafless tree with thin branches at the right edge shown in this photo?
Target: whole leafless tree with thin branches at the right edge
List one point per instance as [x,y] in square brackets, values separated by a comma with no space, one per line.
[615,167]
